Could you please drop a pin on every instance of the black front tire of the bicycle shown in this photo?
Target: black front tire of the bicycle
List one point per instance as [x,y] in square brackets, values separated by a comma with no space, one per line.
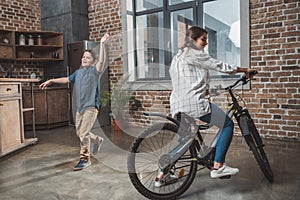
[255,144]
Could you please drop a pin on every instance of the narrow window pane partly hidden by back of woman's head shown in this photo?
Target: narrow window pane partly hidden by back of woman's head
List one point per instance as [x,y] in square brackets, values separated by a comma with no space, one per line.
[181,21]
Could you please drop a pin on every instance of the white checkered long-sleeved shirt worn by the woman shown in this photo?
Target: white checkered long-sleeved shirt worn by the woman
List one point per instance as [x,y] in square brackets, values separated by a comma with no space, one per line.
[189,73]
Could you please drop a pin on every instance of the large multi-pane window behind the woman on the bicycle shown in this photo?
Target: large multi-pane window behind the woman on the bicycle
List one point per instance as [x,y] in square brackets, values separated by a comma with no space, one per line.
[156,30]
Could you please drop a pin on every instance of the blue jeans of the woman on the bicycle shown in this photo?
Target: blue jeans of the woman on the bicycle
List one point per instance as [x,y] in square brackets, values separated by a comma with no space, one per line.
[218,118]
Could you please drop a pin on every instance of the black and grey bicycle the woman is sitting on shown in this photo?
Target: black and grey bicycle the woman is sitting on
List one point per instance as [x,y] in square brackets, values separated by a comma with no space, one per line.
[177,148]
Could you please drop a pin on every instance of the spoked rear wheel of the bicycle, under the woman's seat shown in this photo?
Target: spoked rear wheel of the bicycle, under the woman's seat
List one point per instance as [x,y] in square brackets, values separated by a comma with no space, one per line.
[143,182]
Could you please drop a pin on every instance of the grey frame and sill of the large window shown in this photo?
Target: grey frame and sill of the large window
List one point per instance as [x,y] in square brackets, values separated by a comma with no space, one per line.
[147,84]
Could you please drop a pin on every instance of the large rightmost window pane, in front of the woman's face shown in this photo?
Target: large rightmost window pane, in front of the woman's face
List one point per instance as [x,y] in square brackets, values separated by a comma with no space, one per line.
[222,21]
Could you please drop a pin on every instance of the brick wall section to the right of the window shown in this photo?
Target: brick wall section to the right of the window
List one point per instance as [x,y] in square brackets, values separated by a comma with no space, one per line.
[275,42]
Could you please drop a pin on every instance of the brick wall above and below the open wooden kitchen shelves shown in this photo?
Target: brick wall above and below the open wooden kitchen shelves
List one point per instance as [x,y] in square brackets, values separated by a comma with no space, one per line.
[20,15]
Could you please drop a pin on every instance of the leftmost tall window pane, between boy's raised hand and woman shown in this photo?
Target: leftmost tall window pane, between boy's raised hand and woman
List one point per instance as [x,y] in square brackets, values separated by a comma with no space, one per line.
[150,46]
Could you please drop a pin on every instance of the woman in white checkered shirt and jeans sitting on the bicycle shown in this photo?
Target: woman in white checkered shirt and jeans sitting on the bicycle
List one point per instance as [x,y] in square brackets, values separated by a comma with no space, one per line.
[189,73]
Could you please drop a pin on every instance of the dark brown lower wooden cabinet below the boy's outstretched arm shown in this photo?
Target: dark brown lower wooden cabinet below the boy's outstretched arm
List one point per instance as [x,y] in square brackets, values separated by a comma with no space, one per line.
[51,108]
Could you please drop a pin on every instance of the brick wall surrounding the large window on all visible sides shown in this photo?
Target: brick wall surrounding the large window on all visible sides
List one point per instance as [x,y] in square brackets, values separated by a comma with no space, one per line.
[274,100]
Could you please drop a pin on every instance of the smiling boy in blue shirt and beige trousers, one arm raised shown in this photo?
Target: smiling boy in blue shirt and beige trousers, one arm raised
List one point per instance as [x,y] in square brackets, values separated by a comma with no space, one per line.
[87,100]
